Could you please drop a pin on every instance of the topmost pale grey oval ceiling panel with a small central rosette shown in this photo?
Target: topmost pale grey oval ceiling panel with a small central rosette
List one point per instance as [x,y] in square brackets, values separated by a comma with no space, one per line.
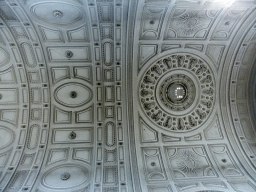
[57,13]
